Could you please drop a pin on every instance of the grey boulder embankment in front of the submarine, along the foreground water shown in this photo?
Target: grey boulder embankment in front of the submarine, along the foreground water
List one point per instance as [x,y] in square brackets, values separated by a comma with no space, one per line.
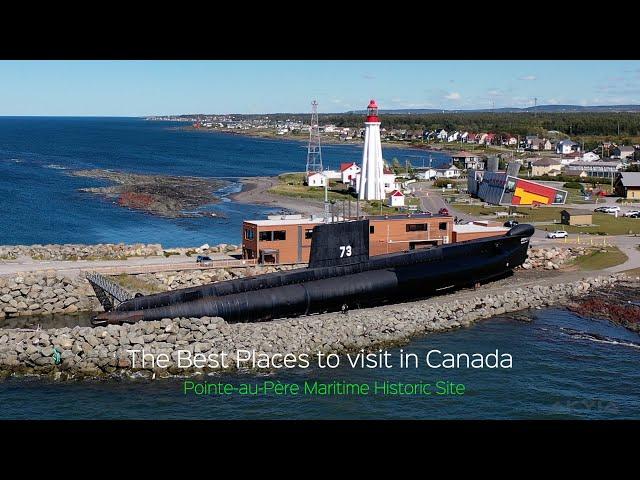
[102,352]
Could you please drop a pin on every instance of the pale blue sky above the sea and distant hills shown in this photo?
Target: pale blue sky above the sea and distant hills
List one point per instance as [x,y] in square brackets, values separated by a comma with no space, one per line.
[138,88]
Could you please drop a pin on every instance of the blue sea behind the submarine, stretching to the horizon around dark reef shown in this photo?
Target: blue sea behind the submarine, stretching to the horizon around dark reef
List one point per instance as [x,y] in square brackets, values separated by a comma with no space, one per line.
[41,203]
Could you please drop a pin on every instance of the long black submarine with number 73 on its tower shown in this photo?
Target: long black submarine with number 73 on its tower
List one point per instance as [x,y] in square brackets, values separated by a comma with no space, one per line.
[340,275]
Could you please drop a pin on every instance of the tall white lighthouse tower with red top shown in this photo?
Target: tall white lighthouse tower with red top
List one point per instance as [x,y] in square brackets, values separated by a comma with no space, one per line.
[371,181]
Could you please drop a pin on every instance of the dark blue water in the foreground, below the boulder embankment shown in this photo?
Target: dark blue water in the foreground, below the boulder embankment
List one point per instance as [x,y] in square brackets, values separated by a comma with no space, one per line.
[556,374]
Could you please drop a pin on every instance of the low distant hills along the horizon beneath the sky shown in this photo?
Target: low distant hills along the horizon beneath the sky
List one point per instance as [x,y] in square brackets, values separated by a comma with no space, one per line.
[539,108]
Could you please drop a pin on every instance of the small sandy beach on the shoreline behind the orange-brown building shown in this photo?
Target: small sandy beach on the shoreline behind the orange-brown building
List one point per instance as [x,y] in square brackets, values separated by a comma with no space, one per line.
[254,190]
